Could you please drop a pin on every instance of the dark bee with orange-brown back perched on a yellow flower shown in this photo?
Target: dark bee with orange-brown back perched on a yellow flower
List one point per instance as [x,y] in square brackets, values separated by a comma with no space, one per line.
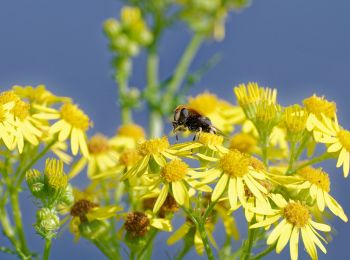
[186,118]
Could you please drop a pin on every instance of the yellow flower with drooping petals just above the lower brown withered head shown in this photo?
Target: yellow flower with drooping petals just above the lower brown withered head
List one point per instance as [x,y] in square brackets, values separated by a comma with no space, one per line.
[173,177]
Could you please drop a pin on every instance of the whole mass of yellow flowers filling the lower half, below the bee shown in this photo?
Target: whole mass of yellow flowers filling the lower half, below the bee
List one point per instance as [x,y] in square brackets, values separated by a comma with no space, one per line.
[260,169]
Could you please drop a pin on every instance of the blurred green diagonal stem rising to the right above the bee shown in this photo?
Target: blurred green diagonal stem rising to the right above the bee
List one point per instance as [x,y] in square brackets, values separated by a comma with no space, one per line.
[182,68]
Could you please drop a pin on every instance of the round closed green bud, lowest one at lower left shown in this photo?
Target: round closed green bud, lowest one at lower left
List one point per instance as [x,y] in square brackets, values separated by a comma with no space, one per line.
[47,222]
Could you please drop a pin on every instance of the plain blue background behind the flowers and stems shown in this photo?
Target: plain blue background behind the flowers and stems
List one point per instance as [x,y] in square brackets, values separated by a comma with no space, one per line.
[300,47]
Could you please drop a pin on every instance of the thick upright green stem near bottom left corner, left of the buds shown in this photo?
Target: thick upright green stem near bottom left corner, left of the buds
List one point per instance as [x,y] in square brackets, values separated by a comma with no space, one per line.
[17,215]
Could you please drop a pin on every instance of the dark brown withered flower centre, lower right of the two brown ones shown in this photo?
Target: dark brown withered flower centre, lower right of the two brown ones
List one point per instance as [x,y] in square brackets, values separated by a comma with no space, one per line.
[137,224]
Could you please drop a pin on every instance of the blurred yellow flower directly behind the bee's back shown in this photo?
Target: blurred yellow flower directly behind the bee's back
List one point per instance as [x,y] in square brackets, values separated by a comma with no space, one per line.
[222,114]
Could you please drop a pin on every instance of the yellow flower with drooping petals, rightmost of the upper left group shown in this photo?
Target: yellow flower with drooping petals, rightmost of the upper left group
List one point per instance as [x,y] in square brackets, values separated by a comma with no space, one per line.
[73,123]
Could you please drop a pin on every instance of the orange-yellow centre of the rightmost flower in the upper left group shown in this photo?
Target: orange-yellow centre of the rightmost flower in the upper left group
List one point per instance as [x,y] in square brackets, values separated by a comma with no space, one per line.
[74,116]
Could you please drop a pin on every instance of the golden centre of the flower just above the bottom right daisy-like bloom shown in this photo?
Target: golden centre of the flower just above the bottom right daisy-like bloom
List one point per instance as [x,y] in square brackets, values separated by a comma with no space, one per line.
[317,177]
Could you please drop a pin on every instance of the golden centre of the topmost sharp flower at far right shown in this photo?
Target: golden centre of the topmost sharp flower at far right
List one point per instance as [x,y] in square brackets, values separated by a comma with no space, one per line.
[320,105]
